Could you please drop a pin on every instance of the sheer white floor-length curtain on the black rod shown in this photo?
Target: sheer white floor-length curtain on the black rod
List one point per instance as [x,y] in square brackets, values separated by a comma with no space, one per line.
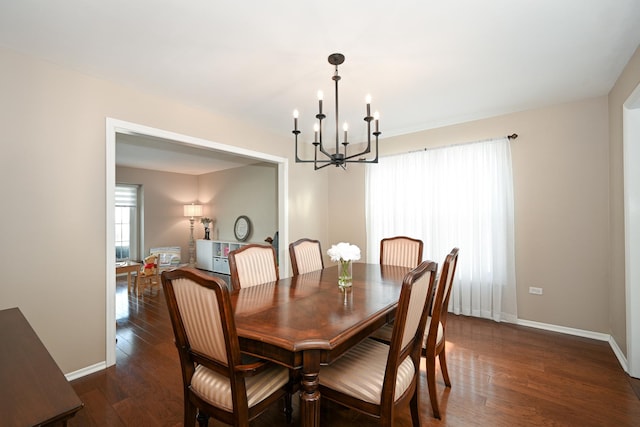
[459,196]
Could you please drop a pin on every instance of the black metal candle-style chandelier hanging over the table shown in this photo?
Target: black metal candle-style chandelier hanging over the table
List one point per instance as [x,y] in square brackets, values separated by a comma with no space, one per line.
[337,157]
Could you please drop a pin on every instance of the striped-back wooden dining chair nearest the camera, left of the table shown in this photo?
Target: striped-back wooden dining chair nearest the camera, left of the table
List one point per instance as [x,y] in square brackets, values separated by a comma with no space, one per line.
[218,380]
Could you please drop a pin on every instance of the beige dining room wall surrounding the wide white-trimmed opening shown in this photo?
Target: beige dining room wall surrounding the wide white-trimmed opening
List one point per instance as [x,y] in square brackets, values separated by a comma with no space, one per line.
[53,168]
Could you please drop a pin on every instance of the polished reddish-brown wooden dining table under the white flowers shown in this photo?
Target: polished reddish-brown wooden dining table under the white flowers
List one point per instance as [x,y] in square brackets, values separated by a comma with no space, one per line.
[307,321]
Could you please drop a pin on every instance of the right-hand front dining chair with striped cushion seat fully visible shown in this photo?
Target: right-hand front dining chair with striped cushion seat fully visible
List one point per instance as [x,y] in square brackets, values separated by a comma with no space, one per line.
[376,378]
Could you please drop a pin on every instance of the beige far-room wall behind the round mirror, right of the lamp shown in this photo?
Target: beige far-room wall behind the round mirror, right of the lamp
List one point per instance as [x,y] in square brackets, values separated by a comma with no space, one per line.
[251,190]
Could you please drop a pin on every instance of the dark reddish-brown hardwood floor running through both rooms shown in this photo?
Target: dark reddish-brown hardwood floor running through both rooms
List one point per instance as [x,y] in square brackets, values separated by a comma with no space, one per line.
[502,375]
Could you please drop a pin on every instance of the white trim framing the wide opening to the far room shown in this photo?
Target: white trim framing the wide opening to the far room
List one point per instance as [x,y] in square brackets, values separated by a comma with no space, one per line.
[114,127]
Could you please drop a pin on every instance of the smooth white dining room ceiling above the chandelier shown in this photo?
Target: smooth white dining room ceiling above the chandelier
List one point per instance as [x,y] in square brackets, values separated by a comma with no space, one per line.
[426,63]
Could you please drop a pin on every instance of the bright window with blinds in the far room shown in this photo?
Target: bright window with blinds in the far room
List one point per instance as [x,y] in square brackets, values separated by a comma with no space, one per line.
[126,221]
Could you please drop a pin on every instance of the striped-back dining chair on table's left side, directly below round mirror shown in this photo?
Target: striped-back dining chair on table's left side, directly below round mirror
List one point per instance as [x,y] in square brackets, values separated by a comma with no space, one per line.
[253,264]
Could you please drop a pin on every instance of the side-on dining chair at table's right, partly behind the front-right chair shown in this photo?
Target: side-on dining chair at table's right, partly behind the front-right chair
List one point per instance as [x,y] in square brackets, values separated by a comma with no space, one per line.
[434,341]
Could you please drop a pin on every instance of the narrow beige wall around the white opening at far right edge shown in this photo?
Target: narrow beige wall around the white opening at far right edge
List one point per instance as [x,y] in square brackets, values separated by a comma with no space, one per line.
[628,81]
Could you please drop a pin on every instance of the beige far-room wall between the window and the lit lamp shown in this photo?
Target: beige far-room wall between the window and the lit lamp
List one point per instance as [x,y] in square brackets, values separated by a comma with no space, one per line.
[164,195]
